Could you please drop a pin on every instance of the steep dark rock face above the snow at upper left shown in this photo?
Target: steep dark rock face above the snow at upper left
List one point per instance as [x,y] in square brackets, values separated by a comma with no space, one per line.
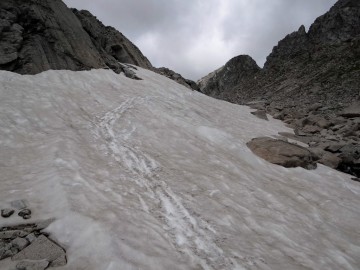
[38,35]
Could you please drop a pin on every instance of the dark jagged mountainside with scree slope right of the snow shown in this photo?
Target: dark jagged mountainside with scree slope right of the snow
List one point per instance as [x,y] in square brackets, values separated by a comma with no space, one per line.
[310,80]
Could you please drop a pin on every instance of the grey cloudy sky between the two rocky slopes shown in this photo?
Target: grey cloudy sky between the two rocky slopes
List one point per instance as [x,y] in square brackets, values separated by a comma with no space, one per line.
[195,37]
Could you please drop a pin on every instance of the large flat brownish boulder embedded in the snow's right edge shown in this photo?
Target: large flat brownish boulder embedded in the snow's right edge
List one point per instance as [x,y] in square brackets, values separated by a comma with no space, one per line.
[283,153]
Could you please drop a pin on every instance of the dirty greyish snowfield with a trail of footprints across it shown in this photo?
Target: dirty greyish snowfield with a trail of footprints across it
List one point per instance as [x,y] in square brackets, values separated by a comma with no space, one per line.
[150,175]
